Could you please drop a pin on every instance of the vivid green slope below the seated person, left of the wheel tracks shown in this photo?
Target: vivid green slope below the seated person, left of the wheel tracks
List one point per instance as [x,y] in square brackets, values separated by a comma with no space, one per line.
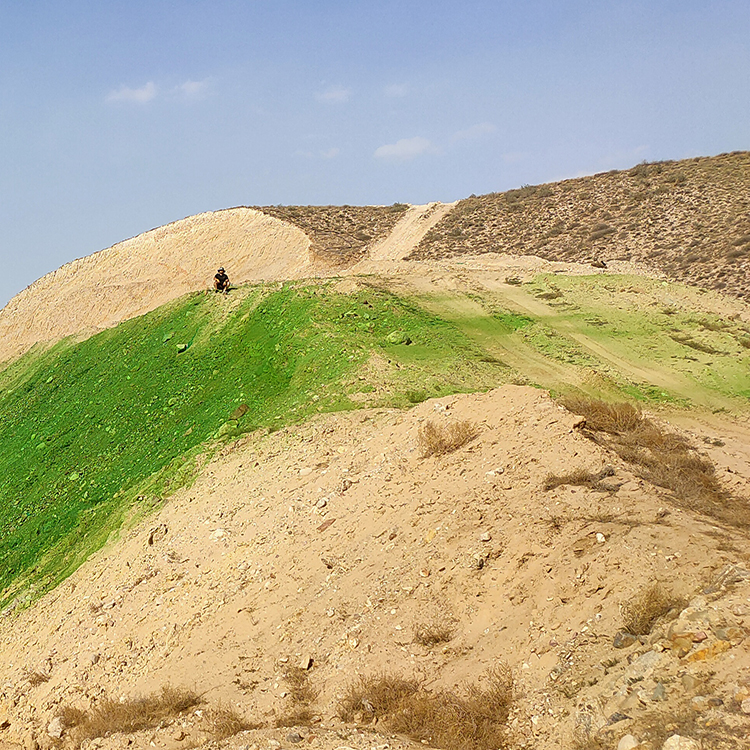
[86,428]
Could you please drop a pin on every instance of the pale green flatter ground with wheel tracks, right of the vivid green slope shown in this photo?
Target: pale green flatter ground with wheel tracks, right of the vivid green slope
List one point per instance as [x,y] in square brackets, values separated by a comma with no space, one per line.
[611,336]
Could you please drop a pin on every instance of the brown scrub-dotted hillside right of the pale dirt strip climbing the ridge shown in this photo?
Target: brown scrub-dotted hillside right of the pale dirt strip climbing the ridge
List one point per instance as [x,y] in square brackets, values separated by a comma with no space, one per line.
[690,219]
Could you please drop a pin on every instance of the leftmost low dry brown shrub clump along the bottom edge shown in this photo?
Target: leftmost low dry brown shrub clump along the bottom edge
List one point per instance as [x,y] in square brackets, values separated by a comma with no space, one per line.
[131,715]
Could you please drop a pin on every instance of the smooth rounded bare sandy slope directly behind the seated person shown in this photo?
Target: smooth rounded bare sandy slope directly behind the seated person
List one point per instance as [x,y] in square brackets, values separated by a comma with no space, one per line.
[142,273]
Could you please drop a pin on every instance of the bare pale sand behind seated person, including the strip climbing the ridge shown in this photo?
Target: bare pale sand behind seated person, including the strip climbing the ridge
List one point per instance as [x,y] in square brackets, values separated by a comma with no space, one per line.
[143,273]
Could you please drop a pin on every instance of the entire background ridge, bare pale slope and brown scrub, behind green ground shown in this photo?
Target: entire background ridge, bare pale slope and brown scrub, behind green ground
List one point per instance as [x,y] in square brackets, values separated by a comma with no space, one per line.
[688,220]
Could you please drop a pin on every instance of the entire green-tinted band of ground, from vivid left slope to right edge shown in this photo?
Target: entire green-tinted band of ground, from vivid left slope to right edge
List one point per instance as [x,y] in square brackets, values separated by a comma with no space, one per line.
[95,433]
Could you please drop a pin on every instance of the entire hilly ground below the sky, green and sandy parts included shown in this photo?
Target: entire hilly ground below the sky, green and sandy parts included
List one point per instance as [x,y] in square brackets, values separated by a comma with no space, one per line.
[429,476]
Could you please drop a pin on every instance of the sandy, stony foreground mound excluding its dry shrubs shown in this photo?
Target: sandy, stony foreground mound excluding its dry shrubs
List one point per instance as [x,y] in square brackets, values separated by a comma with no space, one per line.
[330,547]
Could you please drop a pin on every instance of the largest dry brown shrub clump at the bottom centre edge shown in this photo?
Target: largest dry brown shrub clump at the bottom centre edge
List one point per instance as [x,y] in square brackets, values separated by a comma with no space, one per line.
[471,719]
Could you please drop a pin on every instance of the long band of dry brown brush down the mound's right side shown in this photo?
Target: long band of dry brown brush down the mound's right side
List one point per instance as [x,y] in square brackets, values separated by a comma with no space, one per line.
[664,459]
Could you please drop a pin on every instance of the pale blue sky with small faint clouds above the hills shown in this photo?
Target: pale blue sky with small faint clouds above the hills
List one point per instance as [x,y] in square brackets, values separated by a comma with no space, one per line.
[117,117]
